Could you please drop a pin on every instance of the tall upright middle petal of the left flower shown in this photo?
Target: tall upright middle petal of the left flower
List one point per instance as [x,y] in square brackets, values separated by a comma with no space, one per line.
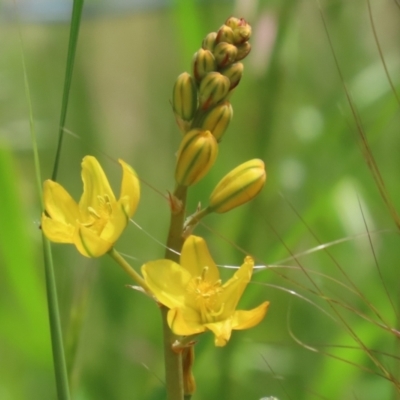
[95,184]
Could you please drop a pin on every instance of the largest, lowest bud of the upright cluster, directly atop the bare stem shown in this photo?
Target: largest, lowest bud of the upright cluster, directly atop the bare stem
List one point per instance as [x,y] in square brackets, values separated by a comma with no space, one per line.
[196,155]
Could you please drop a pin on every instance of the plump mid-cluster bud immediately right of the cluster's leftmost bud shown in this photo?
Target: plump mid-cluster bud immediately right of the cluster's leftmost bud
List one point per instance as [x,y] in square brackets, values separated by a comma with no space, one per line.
[213,88]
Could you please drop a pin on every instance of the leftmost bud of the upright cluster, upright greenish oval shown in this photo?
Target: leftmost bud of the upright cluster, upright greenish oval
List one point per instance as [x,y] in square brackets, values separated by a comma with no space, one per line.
[184,97]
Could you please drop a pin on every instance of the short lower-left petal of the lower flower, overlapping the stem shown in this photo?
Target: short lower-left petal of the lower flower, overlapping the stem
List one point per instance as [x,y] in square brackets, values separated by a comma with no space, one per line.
[184,322]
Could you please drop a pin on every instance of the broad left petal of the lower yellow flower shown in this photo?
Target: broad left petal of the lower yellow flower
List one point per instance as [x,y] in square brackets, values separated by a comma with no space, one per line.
[168,281]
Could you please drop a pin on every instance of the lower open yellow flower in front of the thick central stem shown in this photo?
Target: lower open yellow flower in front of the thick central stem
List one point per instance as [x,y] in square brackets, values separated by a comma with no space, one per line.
[197,299]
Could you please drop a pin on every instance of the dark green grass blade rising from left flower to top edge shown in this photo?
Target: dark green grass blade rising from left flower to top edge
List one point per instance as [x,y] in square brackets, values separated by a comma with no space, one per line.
[73,40]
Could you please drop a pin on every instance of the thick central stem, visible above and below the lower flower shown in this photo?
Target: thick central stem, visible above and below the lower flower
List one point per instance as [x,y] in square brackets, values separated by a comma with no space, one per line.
[173,360]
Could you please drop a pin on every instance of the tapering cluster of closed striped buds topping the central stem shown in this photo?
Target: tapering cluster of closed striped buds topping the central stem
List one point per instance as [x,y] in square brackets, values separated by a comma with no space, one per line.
[200,100]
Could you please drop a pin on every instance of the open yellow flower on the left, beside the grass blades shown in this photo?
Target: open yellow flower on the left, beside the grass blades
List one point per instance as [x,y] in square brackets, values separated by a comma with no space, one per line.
[94,224]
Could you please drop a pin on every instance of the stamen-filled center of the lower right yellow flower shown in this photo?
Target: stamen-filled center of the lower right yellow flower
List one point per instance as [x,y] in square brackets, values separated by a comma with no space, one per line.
[206,294]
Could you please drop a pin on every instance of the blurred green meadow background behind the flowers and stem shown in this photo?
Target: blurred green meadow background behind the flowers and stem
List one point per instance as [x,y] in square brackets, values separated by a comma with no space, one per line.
[290,109]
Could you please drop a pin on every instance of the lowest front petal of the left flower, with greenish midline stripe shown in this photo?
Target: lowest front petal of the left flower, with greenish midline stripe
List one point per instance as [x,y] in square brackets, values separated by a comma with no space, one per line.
[89,243]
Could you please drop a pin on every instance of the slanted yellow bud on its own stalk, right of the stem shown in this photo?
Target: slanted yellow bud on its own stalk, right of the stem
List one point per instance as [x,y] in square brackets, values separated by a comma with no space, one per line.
[238,187]
